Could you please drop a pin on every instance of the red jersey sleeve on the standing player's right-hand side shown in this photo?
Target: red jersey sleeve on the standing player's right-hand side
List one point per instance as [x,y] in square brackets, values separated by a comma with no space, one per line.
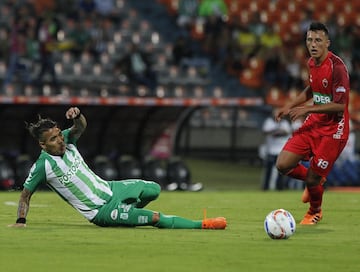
[341,84]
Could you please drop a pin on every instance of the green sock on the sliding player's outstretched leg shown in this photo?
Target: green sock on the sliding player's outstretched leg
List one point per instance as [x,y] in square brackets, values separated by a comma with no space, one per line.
[176,222]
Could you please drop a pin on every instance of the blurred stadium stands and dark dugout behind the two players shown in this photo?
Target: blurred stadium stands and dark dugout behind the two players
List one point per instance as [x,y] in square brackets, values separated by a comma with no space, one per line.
[219,66]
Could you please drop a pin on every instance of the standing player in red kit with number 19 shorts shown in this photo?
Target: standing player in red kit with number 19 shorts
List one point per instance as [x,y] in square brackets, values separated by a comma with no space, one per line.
[325,130]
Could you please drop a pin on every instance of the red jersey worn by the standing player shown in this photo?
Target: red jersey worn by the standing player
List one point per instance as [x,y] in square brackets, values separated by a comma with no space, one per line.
[329,82]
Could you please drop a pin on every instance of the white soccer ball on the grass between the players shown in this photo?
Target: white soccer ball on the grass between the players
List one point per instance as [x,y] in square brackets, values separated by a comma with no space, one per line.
[279,224]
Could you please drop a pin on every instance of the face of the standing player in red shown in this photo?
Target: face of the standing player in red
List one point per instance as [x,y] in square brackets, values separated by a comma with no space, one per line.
[317,43]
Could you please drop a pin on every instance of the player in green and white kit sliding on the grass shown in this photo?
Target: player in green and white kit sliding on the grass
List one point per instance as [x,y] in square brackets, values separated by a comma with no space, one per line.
[104,203]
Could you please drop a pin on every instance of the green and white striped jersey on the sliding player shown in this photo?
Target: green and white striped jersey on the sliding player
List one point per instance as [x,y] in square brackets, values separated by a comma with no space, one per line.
[71,178]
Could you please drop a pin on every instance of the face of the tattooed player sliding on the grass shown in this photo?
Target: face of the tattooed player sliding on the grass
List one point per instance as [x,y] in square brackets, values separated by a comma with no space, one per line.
[52,141]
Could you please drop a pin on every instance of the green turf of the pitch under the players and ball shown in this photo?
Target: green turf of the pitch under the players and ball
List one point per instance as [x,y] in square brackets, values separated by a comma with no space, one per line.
[59,239]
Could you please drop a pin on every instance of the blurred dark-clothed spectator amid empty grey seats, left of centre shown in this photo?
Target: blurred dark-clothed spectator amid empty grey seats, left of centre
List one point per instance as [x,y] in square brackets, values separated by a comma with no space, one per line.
[137,66]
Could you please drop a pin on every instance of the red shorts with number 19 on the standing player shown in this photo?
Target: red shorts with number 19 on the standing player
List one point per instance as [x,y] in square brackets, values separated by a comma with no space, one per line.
[322,151]
